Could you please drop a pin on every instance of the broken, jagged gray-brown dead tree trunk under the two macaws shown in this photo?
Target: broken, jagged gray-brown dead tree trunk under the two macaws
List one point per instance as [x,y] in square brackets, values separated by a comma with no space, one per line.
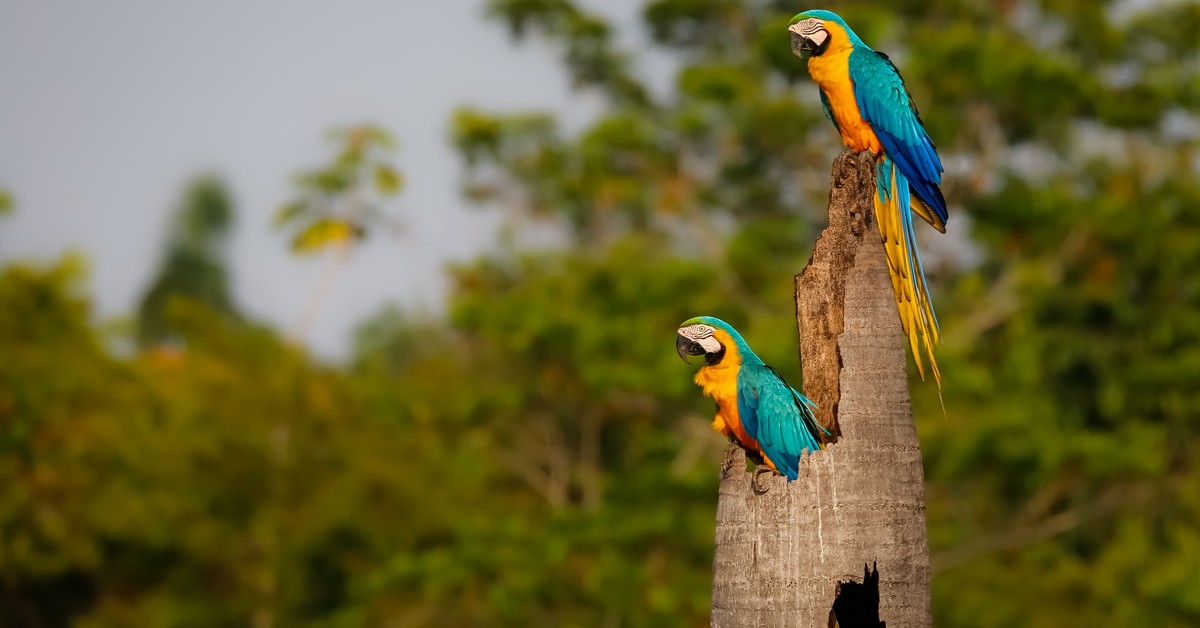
[781,554]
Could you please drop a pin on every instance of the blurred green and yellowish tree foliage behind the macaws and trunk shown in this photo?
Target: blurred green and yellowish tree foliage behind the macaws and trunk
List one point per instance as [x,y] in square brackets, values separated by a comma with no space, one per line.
[541,458]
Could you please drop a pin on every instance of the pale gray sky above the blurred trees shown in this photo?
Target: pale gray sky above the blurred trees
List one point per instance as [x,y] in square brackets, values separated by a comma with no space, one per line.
[107,109]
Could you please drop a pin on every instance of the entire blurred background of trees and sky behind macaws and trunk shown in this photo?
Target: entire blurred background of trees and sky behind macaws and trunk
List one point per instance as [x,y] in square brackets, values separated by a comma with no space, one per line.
[363,314]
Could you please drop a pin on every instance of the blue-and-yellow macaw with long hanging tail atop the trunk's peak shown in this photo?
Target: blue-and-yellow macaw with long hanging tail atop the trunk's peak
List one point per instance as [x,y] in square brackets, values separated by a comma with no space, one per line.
[869,105]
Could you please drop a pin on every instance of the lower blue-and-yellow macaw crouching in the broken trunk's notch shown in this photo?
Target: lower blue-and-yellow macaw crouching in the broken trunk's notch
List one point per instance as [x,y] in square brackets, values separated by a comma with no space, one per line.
[755,408]
